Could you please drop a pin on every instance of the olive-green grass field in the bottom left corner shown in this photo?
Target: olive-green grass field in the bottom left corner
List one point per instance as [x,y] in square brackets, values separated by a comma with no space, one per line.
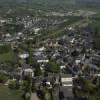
[7,94]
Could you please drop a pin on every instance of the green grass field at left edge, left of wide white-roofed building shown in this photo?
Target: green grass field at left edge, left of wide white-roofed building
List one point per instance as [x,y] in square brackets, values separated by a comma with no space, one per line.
[9,56]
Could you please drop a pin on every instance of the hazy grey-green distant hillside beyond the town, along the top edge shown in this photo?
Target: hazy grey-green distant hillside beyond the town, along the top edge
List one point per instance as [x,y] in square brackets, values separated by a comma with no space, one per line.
[61,4]
